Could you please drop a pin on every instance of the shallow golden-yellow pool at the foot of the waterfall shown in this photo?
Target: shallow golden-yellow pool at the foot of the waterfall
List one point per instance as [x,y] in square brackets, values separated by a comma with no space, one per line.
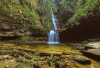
[51,48]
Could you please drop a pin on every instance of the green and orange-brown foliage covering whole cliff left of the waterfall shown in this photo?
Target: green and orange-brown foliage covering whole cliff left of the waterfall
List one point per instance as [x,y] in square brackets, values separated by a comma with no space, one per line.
[30,10]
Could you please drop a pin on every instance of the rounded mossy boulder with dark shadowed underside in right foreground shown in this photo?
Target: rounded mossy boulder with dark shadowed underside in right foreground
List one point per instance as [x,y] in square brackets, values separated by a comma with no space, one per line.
[82,59]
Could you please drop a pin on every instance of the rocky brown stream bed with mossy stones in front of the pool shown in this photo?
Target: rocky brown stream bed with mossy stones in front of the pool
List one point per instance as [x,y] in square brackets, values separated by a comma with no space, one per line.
[12,56]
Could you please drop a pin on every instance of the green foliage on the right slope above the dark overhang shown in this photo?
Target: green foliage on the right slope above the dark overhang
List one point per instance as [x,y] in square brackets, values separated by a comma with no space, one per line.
[83,11]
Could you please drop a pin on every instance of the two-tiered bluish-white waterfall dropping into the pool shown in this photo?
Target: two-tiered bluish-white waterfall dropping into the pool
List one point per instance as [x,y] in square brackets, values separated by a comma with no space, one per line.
[53,34]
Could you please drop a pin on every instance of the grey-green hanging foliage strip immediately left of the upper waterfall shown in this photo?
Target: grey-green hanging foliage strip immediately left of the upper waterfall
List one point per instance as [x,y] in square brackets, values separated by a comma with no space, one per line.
[45,10]
